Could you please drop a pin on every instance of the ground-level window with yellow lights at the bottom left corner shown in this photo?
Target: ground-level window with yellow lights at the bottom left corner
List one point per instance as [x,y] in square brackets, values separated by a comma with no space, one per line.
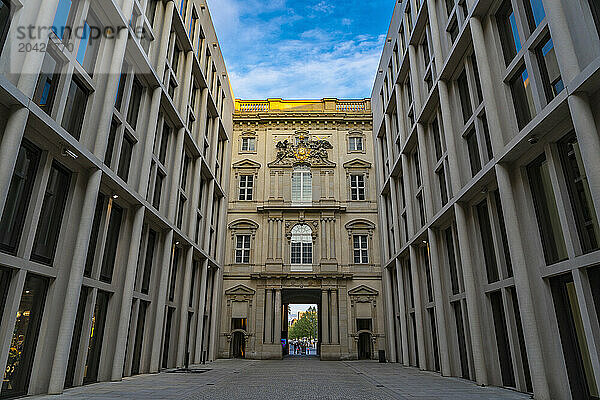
[25,337]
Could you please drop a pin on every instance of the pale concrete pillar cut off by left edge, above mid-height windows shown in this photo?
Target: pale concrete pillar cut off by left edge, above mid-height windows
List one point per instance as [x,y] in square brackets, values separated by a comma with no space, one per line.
[9,150]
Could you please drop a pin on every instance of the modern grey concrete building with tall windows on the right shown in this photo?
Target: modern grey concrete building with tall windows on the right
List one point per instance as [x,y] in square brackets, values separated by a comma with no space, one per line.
[486,128]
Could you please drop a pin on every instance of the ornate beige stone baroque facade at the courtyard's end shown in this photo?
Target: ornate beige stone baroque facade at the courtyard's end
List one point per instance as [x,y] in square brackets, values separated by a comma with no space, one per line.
[302,229]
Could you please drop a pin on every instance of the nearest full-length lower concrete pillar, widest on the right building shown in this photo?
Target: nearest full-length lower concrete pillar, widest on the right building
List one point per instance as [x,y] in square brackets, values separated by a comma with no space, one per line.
[524,291]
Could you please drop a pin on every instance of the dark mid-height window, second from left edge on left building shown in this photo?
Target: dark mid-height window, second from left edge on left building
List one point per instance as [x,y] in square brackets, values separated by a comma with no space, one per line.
[49,224]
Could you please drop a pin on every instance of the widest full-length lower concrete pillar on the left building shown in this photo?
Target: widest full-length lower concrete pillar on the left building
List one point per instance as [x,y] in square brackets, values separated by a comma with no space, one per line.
[69,310]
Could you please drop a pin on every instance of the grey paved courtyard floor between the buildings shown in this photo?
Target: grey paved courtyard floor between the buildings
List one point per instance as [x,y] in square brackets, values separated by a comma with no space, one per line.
[292,378]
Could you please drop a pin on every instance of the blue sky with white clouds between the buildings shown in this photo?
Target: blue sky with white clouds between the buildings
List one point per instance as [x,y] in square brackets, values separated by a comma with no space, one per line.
[303,49]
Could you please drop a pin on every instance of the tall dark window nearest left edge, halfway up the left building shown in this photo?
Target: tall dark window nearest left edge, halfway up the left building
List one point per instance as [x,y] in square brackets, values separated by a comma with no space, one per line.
[19,195]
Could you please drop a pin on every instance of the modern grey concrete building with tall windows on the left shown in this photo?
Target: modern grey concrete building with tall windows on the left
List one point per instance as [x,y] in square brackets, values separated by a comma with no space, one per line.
[112,191]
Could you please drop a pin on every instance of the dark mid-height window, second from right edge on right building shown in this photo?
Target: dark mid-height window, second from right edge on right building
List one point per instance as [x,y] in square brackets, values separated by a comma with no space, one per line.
[546,211]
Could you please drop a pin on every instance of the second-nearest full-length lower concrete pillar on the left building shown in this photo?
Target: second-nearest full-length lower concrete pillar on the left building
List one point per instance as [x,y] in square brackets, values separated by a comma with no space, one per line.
[127,297]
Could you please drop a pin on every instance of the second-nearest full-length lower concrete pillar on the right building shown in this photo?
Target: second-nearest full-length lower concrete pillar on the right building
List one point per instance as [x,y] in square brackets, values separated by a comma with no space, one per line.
[472,297]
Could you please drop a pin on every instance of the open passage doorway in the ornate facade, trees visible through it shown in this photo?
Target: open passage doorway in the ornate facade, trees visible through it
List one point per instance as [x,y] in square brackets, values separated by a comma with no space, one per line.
[302,331]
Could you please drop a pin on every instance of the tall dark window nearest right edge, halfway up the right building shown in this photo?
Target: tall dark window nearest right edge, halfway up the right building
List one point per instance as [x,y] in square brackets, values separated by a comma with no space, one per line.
[579,193]
